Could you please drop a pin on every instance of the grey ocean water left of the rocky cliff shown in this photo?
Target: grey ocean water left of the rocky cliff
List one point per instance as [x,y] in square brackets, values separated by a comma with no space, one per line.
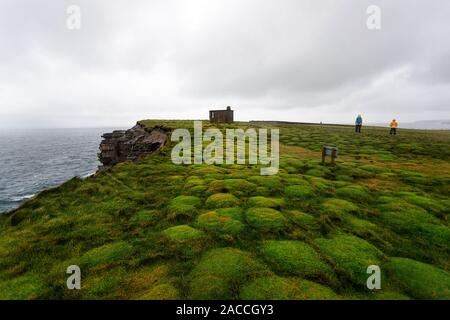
[36,159]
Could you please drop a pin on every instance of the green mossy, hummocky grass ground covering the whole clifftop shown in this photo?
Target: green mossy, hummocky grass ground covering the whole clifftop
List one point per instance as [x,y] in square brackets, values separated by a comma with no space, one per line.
[155,230]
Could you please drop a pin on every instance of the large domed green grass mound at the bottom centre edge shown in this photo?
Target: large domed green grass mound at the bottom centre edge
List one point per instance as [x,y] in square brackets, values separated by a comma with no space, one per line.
[220,272]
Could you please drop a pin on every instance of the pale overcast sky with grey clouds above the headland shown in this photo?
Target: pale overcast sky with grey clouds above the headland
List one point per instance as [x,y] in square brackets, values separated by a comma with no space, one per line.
[290,60]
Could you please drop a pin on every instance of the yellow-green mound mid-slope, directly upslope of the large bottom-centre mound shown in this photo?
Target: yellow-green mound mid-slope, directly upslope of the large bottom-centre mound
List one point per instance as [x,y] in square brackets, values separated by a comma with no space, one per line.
[219,224]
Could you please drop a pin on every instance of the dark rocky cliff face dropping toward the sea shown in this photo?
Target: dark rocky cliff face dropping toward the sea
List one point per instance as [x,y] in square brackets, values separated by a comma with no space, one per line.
[129,145]
